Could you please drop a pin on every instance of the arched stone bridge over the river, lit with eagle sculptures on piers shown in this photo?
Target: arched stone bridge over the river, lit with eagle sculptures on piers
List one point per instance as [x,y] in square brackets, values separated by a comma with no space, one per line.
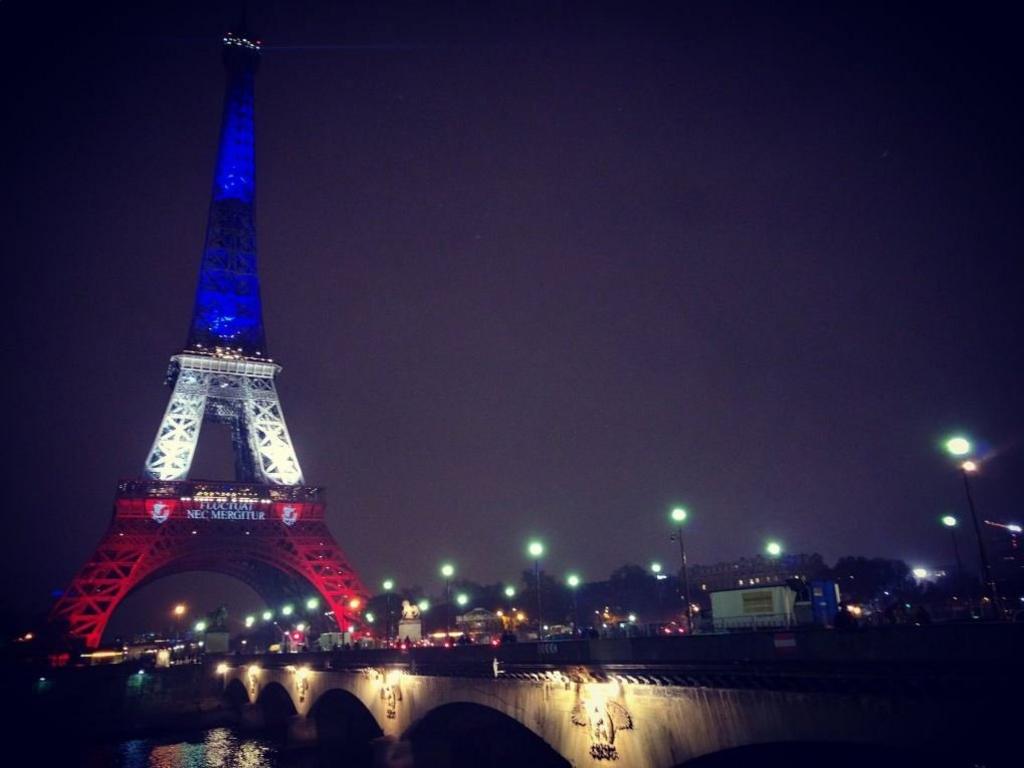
[937,696]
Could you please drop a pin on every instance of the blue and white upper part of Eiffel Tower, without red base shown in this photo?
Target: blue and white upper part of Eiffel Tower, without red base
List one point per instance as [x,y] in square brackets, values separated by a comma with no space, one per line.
[225,375]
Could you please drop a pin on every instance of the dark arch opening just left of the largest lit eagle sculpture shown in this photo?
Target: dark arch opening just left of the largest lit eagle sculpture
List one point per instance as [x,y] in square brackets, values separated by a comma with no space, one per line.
[465,735]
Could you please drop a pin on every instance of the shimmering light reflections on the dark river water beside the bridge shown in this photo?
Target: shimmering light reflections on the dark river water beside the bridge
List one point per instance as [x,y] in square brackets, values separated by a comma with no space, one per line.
[220,748]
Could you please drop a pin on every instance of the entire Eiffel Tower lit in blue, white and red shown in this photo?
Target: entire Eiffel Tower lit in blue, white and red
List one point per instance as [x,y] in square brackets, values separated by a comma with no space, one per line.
[266,528]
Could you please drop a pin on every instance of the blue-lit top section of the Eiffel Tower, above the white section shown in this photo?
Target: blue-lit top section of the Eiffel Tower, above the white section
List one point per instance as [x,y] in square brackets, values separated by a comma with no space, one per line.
[228,313]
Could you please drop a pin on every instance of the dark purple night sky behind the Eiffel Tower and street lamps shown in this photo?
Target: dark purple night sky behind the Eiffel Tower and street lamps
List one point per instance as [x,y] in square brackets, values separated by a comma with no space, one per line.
[530,272]
